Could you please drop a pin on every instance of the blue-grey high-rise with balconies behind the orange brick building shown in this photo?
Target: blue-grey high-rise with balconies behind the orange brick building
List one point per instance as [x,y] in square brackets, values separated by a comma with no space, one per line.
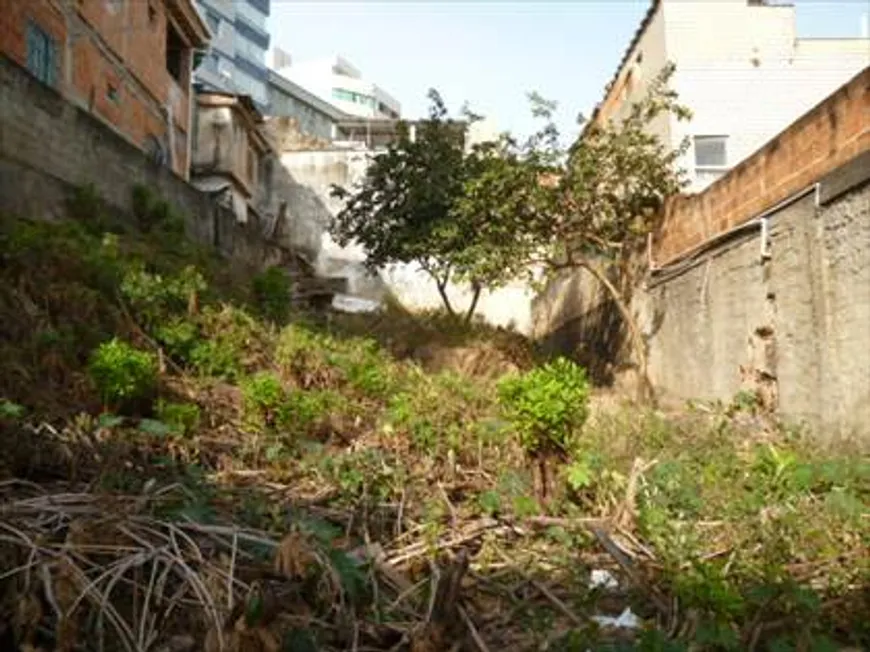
[236,61]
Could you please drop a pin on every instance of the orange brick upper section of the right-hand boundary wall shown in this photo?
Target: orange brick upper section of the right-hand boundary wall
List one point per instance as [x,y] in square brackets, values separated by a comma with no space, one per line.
[831,134]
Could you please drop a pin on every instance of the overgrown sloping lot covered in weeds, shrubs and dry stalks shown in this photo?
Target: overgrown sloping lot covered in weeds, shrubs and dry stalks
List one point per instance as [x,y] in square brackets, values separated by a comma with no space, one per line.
[213,470]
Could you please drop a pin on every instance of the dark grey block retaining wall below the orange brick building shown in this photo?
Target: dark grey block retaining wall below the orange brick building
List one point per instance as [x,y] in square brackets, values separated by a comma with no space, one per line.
[48,146]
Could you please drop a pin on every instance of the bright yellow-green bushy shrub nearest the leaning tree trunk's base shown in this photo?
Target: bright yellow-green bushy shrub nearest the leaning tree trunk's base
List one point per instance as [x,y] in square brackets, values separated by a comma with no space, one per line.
[547,405]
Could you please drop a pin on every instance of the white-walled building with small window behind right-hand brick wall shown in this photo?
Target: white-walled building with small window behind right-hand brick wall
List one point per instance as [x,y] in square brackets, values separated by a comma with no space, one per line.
[740,67]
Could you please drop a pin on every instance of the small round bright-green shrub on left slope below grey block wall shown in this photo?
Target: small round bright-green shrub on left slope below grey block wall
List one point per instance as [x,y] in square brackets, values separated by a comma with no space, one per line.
[122,373]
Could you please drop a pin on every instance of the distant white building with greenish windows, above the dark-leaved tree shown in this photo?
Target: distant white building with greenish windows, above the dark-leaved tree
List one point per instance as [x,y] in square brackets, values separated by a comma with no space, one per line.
[337,81]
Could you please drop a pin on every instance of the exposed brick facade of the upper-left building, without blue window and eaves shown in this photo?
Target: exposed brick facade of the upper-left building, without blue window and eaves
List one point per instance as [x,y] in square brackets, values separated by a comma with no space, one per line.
[112,61]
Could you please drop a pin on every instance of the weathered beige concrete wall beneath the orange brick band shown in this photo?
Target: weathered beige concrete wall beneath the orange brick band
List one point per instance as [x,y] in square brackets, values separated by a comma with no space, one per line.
[795,327]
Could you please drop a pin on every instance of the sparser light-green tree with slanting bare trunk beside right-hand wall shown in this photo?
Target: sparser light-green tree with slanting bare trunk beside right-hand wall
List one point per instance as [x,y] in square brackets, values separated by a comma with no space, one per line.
[589,206]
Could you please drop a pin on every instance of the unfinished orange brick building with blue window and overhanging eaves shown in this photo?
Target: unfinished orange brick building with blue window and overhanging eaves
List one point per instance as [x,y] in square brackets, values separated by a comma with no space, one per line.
[129,62]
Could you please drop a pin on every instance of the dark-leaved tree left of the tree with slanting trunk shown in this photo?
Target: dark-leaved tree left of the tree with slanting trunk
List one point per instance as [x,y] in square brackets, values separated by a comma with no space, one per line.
[404,210]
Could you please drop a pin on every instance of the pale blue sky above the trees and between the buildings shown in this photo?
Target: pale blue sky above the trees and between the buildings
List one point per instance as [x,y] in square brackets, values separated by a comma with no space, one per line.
[491,54]
